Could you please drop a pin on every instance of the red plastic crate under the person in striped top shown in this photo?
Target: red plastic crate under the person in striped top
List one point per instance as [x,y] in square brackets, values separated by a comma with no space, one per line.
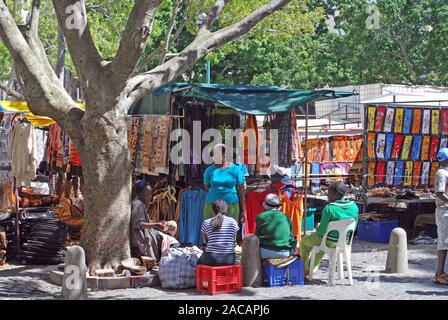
[213,280]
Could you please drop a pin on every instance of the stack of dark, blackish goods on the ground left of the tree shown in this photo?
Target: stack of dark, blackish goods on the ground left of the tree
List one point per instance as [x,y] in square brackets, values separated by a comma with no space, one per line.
[44,237]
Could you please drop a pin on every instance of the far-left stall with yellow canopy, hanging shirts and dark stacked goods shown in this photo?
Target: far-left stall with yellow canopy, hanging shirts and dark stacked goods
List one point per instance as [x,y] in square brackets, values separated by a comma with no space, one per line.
[29,226]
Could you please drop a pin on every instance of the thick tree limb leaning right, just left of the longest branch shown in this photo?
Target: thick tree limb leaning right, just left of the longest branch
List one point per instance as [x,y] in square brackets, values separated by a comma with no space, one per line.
[136,34]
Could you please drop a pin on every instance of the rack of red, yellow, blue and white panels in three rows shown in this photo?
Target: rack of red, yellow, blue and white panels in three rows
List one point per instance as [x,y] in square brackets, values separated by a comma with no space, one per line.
[403,144]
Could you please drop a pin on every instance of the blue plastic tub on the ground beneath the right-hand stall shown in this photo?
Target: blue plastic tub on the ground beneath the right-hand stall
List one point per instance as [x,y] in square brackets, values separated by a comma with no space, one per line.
[376,231]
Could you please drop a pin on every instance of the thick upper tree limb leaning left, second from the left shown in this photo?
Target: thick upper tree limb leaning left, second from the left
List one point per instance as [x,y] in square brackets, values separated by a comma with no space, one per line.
[73,21]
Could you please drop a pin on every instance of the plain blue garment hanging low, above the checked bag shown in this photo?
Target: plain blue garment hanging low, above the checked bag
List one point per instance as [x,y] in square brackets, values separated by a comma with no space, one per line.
[191,216]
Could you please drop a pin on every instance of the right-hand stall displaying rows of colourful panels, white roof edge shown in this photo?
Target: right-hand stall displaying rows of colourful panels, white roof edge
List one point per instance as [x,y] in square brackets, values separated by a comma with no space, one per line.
[403,135]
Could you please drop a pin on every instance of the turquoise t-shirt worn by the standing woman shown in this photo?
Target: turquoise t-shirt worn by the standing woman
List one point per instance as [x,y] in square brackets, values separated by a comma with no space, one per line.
[222,183]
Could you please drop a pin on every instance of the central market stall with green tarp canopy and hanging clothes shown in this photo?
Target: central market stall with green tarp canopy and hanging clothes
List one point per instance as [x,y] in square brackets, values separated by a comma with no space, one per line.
[220,107]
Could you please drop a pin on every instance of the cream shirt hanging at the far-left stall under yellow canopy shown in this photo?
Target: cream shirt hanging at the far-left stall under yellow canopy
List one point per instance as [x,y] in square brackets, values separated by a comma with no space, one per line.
[23,152]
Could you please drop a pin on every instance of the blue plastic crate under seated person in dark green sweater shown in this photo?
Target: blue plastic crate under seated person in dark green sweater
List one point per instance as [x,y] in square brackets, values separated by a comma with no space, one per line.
[292,275]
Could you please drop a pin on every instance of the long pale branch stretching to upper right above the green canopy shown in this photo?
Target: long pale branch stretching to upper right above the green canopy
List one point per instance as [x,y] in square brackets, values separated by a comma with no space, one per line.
[143,84]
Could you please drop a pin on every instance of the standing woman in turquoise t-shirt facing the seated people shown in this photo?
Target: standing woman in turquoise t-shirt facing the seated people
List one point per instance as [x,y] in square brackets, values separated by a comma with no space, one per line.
[224,181]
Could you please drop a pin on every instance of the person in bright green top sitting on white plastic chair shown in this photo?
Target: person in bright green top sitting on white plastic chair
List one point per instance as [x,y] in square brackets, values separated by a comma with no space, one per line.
[336,210]
